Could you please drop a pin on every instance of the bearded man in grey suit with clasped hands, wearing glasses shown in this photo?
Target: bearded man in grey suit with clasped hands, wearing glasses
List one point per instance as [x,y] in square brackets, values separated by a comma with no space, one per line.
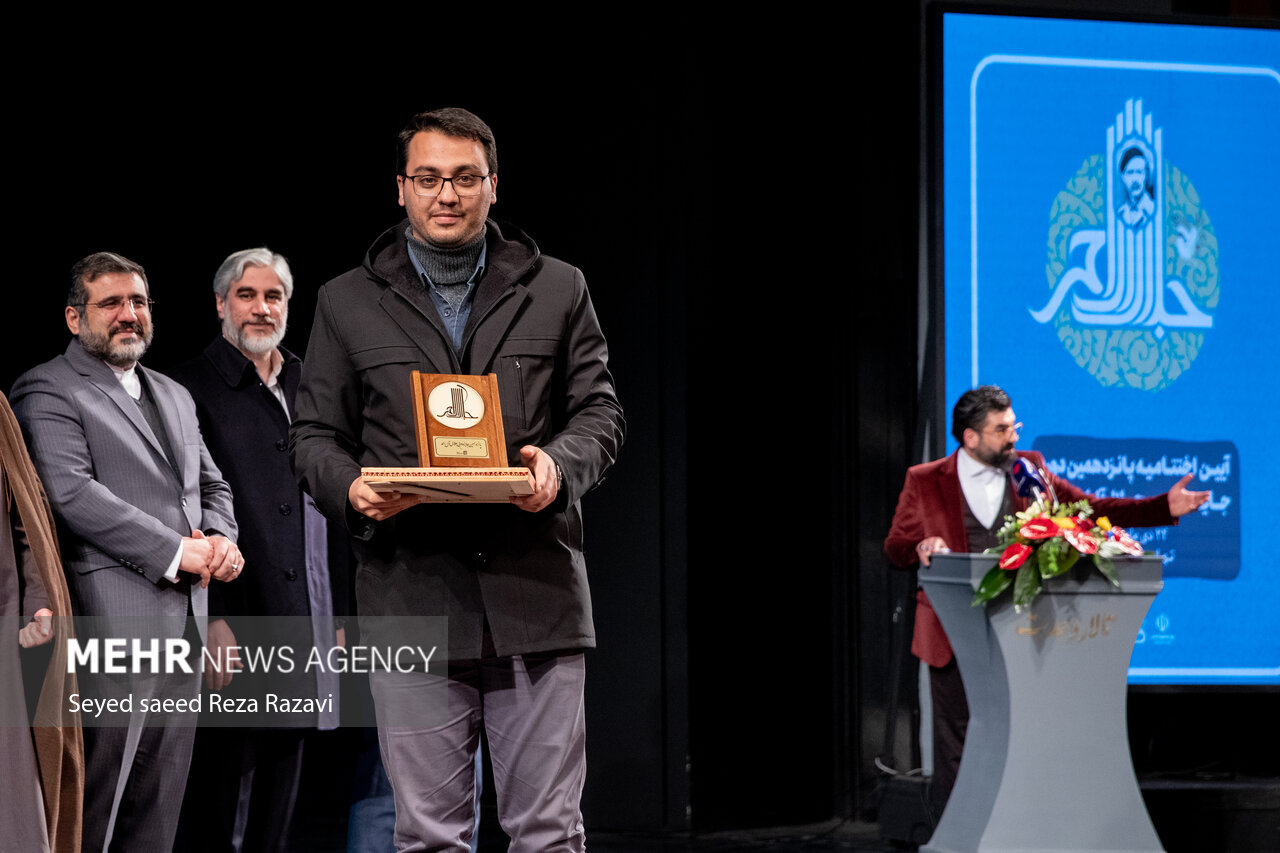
[145,522]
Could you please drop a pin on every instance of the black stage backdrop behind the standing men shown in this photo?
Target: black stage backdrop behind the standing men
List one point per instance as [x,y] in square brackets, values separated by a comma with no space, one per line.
[746,212]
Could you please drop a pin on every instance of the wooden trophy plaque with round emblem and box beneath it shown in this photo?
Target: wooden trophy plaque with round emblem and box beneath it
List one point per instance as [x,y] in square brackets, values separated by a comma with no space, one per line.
[461,445]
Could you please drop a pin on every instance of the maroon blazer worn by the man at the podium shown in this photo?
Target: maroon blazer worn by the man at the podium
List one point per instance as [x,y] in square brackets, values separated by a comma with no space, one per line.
[932,505]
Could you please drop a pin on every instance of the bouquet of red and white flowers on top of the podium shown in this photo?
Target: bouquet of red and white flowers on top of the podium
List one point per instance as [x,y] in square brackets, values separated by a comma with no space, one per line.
[1041,542]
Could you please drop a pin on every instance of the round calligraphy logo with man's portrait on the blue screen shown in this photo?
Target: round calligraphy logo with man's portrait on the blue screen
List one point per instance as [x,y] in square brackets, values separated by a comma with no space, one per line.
[1132,262]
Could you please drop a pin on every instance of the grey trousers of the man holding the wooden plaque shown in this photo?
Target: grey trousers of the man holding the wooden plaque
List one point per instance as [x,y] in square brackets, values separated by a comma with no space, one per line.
[532,711]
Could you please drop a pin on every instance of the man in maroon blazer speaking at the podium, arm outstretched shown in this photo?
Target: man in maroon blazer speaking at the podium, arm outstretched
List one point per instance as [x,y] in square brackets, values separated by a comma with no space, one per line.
[958,504]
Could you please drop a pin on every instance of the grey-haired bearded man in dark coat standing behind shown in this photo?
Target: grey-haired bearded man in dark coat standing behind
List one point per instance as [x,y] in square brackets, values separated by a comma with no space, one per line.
[244,783]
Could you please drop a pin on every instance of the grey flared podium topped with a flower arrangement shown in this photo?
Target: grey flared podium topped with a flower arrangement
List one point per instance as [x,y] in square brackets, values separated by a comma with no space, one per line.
[1046,765]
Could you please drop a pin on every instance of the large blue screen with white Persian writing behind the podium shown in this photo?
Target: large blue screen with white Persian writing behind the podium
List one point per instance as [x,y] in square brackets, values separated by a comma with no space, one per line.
[1113,261]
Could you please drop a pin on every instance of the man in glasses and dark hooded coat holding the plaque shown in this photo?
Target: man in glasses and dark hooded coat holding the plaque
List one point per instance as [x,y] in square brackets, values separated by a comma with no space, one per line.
[454,293]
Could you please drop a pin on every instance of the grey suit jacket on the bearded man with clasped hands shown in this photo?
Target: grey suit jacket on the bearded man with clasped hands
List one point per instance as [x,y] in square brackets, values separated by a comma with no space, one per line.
[122,509]
